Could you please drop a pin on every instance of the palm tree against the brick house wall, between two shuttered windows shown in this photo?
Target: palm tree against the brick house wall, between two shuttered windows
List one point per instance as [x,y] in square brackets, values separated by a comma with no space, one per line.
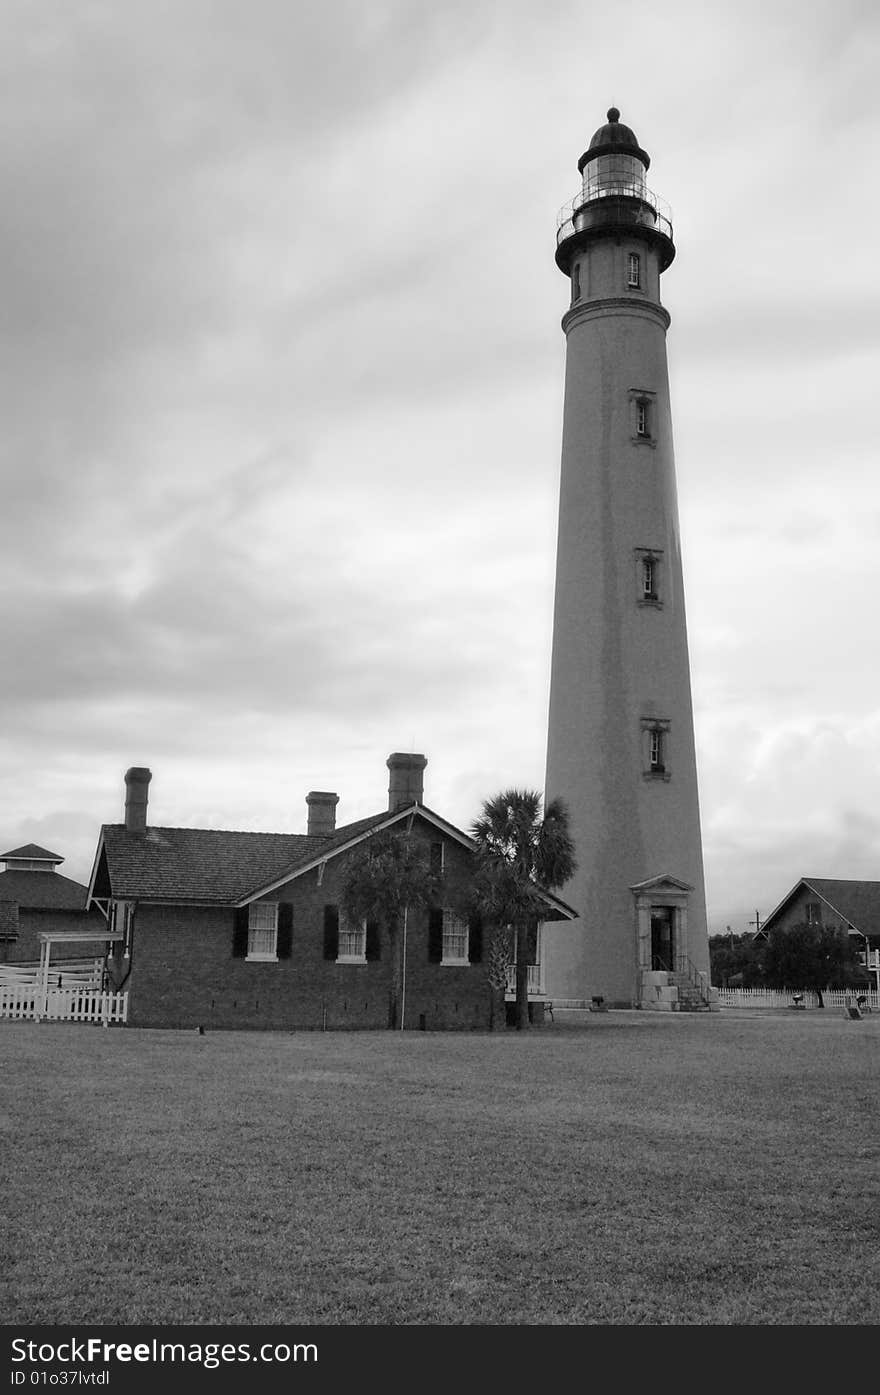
[384,880]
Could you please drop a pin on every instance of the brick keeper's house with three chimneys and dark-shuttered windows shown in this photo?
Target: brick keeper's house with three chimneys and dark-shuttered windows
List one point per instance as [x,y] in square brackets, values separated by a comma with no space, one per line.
[224,930]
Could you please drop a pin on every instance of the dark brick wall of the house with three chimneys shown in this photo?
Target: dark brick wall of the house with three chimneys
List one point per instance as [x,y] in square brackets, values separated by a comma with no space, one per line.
[183,972]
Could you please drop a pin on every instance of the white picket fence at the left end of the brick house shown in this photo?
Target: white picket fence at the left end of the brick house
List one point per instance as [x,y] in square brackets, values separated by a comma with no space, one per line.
[75,995]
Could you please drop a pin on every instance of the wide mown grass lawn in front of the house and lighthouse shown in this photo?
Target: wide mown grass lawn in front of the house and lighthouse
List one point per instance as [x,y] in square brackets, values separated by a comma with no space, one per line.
[620,1170]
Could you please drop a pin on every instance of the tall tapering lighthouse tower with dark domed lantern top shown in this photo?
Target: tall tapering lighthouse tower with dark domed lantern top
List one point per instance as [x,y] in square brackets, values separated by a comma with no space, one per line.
[621,748]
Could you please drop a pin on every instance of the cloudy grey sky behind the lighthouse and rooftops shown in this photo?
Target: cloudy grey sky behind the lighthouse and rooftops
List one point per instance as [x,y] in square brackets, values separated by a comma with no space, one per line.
[282,401]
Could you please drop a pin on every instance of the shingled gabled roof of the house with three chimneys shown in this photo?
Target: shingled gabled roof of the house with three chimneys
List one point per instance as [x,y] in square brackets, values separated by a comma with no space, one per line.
[224,868]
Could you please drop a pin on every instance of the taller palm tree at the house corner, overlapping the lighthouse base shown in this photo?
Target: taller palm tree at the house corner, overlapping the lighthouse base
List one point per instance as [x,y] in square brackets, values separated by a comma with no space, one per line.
[518,853]
